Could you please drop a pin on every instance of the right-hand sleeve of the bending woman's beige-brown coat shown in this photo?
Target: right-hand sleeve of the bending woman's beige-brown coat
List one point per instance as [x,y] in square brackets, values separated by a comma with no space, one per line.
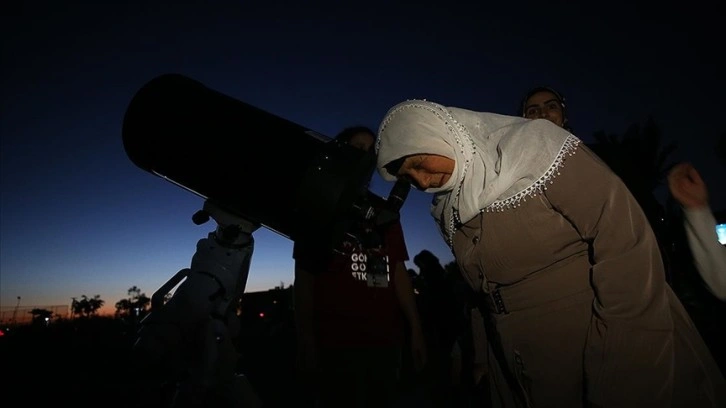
[629,356]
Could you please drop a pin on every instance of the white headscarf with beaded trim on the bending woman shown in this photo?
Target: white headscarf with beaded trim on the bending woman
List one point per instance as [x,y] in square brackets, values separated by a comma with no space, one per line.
[500,159]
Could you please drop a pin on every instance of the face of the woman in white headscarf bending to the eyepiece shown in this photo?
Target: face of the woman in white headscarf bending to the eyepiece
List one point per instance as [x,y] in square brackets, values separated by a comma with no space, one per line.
[426,171]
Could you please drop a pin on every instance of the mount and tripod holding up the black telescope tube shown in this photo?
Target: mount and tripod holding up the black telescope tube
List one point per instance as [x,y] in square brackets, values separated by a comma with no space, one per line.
[186,343]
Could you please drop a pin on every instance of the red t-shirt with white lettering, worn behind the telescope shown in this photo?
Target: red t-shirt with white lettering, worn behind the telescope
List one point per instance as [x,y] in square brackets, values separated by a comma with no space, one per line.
[352,306]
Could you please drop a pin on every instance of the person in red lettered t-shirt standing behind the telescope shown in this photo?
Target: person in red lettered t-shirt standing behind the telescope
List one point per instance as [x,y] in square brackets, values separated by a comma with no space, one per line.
[354,306]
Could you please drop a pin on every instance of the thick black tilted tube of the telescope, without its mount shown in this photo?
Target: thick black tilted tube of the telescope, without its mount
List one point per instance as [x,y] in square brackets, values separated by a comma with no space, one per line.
[264,168]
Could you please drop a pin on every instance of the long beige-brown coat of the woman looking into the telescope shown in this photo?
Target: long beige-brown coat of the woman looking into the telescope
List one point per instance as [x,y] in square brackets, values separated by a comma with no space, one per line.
[578,308]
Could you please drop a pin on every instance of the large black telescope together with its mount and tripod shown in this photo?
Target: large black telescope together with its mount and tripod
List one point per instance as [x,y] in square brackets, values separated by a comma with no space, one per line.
[252,168]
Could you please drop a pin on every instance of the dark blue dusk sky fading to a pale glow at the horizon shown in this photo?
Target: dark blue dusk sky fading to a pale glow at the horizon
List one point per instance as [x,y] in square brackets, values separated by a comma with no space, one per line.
[77,217]
